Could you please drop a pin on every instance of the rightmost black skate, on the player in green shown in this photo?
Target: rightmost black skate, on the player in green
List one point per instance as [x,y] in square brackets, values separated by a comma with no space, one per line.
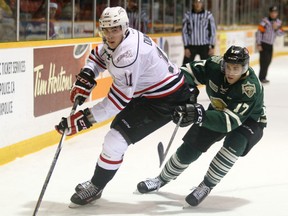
[198,194]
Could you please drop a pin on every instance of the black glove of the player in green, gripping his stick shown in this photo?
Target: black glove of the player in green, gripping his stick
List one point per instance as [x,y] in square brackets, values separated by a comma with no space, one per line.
[192,113]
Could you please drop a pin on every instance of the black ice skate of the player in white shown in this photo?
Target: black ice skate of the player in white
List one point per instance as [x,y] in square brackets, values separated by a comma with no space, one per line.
[85,193]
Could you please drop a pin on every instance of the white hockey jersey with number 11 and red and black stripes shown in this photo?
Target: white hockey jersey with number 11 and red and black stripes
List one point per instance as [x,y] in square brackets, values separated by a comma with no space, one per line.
[139,68]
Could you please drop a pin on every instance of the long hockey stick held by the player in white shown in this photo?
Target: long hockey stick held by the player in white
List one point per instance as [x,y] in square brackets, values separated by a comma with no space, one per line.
[53,163]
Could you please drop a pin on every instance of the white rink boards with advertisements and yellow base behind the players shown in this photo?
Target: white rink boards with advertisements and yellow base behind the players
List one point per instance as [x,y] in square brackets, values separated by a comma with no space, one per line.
[35,82]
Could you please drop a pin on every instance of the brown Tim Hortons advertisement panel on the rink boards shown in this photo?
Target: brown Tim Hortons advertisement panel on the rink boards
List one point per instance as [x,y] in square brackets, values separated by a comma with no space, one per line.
[54,71]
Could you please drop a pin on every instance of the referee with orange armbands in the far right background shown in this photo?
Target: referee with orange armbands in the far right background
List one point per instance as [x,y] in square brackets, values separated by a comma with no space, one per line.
[268,29]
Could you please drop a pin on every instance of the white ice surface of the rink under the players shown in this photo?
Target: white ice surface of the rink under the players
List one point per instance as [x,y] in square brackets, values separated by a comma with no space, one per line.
[257,185]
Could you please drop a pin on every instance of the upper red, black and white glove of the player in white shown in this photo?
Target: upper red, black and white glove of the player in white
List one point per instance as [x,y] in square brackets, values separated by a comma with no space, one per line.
[83,86]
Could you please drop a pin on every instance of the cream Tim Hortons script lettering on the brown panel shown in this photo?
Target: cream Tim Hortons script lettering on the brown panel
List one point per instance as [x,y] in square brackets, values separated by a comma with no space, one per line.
[55,82]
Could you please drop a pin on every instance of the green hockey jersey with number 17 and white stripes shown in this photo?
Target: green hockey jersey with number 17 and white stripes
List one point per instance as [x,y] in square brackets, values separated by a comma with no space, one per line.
[230,104]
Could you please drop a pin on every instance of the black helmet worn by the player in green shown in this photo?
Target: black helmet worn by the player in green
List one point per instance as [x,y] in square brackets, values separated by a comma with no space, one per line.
[237,55]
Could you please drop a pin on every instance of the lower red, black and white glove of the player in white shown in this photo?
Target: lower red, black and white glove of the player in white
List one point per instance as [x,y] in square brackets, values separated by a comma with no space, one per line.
[74,123]
